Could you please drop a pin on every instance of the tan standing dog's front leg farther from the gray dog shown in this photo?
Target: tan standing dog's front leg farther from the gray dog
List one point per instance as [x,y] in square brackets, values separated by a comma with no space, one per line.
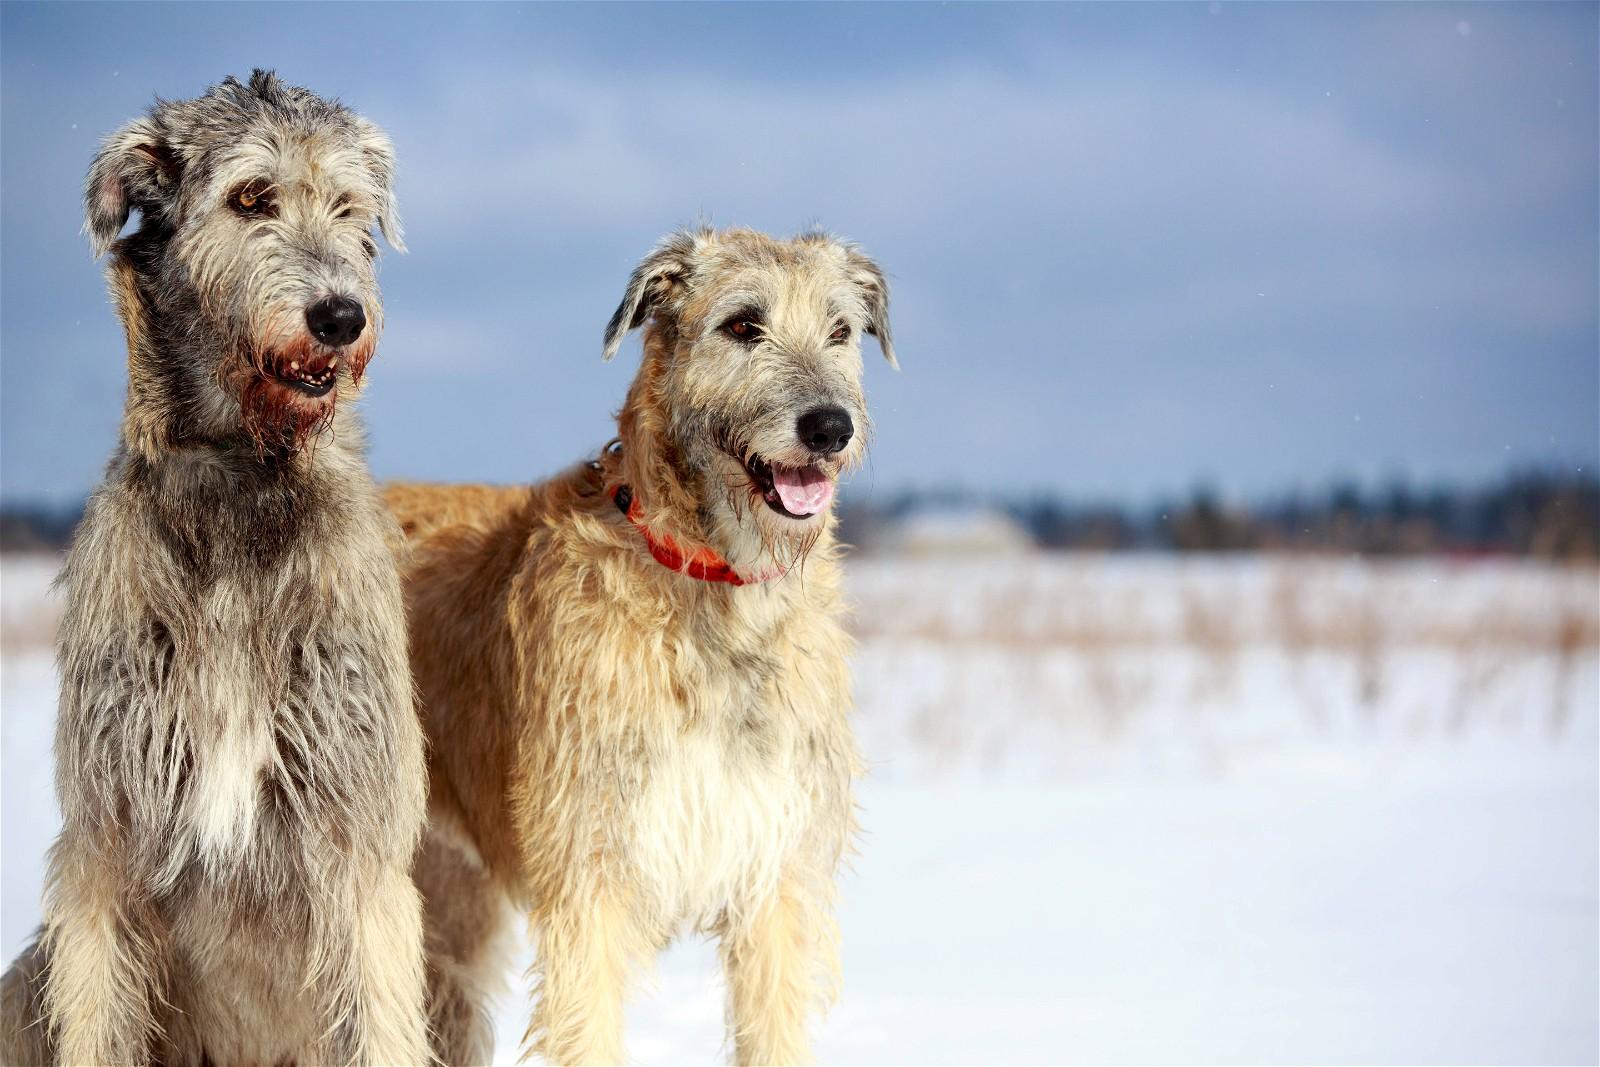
[782,965]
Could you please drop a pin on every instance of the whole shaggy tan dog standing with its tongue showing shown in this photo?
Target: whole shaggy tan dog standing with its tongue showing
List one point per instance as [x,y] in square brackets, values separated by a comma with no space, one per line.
[625,751]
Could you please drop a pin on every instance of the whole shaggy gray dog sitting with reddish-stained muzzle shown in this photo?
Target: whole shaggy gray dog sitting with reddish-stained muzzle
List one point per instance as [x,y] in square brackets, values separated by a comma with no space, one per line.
[239,761]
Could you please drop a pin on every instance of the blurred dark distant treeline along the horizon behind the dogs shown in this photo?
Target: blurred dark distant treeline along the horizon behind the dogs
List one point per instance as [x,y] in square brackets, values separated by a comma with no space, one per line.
[1540,514]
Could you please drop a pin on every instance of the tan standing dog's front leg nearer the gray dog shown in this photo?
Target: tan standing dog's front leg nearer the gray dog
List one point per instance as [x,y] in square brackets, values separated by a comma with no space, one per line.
[586,954]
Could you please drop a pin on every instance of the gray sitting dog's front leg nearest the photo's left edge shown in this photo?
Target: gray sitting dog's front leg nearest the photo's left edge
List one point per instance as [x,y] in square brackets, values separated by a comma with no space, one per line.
[108,953]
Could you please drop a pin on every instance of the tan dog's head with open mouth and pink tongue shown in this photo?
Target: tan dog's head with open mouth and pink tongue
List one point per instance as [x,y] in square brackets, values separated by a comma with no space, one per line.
[751,383]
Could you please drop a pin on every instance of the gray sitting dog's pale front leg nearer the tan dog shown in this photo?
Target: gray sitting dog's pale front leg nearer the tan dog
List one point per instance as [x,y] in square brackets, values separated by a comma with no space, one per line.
[391,1017]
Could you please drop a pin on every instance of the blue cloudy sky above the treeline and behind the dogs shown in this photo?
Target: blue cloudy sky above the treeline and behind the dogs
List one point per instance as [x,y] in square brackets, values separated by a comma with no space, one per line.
[1132,247]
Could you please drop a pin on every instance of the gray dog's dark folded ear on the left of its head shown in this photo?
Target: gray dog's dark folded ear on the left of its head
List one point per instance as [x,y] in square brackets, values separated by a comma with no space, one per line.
[135,169]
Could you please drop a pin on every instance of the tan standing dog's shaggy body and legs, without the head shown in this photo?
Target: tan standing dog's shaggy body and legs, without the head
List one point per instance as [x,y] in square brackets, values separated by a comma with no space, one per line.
[628,751]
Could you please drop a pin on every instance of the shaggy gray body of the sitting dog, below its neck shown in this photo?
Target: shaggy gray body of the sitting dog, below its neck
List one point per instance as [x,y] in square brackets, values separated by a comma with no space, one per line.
[241,773]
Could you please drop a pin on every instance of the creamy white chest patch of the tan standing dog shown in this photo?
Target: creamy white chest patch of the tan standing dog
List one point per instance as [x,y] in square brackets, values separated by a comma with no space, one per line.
[716,821]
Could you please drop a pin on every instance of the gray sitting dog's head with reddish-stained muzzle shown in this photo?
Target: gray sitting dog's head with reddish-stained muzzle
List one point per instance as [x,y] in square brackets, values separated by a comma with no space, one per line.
[255,254]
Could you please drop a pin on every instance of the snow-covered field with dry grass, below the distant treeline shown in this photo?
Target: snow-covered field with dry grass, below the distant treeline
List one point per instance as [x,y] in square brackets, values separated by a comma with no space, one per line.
[1154,810]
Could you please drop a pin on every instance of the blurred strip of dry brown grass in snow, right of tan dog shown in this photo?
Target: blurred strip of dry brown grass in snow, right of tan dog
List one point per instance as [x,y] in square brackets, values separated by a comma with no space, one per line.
[1438,645]
